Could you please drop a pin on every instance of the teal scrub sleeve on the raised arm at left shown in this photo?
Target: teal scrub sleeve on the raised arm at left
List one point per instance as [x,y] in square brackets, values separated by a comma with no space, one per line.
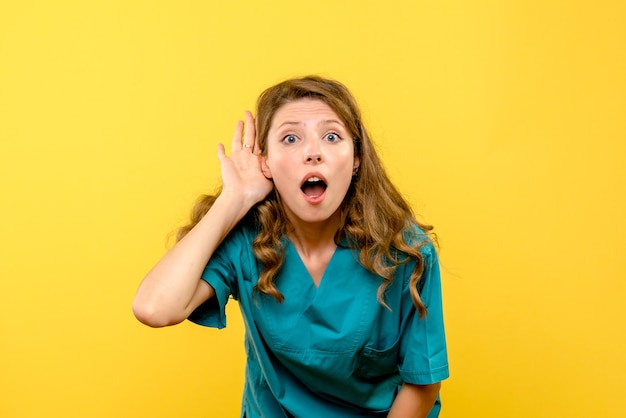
[220,273]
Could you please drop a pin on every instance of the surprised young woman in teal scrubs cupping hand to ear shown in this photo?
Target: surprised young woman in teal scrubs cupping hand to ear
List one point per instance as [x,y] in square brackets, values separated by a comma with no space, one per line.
[337,282]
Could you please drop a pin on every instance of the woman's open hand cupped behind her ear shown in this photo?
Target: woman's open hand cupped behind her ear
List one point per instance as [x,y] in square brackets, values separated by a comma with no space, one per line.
[241,172]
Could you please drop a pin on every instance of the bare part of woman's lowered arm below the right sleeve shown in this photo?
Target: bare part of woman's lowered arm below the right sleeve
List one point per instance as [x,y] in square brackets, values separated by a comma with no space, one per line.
[414,401]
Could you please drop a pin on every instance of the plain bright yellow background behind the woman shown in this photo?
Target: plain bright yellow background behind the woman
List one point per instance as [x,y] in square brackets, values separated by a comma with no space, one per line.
[502,121]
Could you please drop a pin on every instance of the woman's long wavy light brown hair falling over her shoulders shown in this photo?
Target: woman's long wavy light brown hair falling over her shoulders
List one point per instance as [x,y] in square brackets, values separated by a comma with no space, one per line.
[375,218]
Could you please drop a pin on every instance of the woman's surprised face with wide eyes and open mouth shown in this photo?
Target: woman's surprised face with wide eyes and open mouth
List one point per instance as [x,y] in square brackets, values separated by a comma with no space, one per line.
[310,157]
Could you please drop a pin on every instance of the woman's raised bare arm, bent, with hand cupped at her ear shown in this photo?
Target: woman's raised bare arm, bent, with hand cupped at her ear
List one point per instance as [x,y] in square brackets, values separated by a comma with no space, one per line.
[173,288]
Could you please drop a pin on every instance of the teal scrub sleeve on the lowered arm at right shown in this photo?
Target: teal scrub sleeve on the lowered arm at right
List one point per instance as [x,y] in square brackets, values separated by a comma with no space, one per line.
[423,354]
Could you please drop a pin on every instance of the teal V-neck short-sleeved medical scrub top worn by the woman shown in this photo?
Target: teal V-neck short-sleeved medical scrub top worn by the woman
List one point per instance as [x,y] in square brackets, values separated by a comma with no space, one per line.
[332,351]
